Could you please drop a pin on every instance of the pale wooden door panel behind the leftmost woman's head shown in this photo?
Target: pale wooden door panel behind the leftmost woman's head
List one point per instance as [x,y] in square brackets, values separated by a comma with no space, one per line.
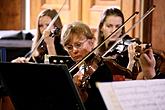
[70,12]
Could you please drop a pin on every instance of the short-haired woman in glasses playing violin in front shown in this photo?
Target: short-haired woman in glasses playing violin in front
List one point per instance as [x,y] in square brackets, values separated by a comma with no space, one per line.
[78,40]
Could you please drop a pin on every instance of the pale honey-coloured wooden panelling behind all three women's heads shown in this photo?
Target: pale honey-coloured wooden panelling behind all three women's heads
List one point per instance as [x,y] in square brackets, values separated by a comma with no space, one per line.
[89,11]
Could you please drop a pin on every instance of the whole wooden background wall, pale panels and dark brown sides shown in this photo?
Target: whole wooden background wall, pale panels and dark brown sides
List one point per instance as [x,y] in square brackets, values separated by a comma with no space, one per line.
[12,15]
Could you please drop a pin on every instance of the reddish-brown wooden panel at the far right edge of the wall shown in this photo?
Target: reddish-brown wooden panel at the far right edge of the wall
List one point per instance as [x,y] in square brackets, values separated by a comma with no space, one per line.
[158,25]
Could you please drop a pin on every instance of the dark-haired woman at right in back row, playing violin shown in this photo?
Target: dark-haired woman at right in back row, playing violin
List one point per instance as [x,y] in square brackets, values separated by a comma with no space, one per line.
[111,19]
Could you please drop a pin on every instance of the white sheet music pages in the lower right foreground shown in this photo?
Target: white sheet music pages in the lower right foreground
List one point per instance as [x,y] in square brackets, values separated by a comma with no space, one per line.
[134,95]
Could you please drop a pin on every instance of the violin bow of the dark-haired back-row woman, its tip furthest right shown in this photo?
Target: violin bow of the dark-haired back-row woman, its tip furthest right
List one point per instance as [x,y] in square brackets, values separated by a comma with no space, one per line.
[137,22]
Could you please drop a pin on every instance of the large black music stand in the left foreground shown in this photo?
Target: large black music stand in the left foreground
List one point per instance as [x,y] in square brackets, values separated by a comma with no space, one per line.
[40,86]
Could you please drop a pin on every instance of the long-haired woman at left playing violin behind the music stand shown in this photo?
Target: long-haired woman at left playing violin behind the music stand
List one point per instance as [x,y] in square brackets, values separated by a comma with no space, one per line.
[51,43]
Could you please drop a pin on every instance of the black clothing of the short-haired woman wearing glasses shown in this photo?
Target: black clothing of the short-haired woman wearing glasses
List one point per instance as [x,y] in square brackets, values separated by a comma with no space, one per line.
[95,100]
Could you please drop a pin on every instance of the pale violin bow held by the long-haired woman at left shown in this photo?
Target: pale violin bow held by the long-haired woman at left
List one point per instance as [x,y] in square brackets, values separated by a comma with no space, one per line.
[29,54]
